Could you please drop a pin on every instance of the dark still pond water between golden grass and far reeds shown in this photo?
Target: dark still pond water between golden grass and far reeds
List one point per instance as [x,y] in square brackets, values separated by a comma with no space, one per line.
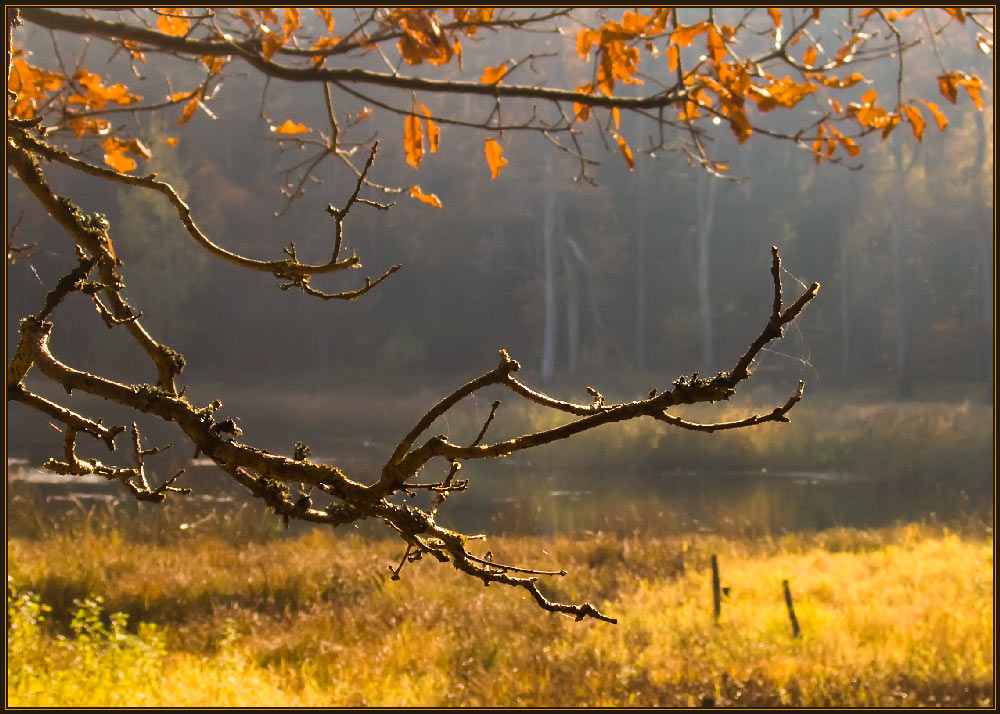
[507,498]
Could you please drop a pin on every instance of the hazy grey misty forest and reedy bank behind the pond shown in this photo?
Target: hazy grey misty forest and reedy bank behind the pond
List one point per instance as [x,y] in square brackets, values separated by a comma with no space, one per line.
[625,285]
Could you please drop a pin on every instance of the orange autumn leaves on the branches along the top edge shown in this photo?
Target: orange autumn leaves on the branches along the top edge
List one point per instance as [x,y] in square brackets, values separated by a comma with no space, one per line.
[705,71]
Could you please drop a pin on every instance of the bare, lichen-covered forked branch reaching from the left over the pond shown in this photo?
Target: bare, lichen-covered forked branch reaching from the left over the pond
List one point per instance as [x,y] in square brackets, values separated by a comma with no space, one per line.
[268,476]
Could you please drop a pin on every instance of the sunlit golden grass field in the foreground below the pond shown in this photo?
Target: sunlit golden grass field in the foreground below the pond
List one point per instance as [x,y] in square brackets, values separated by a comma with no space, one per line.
[900,616]
